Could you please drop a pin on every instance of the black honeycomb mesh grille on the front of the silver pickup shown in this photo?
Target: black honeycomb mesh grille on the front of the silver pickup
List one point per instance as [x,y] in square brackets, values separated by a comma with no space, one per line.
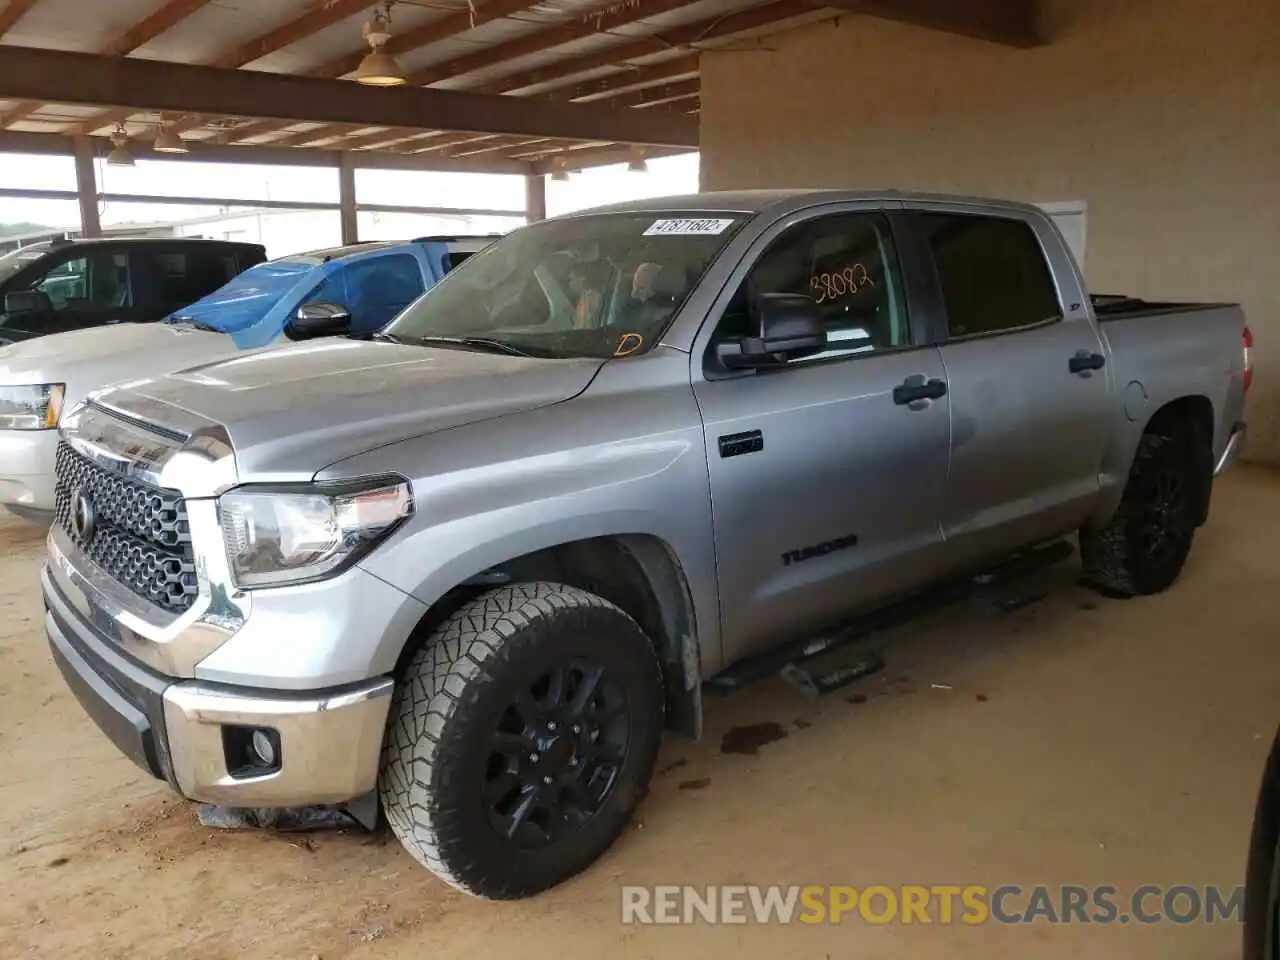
[139,534]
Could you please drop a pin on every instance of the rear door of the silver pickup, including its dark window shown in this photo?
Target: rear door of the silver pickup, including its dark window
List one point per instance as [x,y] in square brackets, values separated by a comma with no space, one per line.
[1028,383]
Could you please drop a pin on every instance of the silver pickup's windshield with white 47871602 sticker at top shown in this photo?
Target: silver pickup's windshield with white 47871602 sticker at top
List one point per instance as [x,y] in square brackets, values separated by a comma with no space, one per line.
[597,286]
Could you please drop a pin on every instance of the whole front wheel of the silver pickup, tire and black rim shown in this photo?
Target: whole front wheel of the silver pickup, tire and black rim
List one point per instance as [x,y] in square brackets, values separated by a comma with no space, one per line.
[522,739]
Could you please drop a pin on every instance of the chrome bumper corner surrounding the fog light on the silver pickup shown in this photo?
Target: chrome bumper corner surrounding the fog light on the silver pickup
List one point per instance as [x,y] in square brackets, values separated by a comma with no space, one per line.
[331,743]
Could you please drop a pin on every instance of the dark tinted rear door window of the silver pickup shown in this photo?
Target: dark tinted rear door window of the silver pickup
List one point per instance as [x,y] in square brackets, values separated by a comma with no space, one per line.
[993,273]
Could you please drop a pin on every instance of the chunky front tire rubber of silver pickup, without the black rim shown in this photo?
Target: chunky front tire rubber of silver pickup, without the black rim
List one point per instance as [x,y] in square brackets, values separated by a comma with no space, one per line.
[446,711]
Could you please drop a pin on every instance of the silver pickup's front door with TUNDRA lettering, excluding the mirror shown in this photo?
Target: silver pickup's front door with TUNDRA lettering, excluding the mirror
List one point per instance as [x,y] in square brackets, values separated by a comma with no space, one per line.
[826,478]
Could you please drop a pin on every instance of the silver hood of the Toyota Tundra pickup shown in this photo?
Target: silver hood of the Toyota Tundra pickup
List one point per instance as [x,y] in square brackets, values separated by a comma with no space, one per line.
[292,412]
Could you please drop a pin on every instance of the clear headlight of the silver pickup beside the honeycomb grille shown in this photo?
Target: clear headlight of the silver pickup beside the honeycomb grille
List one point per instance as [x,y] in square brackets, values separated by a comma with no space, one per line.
[278,536]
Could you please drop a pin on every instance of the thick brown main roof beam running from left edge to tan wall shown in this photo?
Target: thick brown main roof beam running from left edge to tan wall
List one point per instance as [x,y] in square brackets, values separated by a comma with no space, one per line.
[157,86]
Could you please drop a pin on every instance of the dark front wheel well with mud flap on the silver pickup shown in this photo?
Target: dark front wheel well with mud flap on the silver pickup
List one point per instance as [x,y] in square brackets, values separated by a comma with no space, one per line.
[641,574]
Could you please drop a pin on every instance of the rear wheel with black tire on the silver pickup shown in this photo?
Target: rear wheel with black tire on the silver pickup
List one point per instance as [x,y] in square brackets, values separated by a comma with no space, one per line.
[1117,560]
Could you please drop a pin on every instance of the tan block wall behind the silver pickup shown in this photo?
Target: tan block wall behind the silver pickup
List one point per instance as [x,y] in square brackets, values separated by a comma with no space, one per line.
[1164,116]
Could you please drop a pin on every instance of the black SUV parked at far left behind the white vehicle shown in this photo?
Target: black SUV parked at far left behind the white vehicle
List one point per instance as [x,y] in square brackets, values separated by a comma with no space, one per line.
[72,285]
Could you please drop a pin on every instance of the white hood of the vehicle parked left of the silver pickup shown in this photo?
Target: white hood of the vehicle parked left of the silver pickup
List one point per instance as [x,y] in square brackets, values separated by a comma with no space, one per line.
[88,360]
